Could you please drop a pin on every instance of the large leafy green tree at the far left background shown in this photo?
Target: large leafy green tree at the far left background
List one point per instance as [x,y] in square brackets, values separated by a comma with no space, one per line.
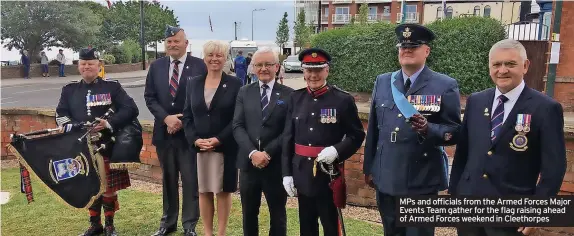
[33,26]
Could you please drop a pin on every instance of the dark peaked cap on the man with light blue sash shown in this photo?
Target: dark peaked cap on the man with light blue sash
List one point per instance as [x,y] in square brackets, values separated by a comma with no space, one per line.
[413,35]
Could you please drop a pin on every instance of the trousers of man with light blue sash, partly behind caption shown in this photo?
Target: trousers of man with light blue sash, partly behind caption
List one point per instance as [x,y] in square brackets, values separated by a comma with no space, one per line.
[387,205]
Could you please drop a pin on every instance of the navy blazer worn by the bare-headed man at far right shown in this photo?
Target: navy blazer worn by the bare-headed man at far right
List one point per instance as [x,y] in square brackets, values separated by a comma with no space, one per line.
[482,167]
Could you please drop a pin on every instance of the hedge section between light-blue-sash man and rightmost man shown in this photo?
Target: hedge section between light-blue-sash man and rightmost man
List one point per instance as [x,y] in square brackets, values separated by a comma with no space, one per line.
[461,50]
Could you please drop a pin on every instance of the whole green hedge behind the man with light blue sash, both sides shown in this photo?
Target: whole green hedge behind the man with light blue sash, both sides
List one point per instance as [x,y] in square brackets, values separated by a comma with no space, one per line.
[361,52]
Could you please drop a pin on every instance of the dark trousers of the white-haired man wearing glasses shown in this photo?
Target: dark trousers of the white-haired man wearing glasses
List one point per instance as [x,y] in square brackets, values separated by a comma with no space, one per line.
[251,184]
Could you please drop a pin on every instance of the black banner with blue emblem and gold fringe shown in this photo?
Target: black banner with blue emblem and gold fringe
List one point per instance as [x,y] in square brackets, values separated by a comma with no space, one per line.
[66,165]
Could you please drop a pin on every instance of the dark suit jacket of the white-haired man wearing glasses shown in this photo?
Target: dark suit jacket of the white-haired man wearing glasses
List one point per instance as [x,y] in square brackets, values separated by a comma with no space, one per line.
[253,133]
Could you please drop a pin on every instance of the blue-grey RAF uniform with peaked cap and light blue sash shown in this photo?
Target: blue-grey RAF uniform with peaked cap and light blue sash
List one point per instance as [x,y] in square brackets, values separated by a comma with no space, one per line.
[399,159]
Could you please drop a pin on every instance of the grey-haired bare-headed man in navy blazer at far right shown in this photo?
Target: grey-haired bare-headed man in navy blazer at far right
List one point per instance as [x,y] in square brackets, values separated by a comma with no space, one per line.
[511,137]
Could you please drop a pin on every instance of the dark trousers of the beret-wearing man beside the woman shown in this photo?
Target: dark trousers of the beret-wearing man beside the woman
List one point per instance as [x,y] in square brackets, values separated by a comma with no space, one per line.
[175,159]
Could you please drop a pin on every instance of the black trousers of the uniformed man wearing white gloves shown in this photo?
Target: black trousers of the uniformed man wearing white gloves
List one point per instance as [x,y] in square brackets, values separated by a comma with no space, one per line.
[320,206]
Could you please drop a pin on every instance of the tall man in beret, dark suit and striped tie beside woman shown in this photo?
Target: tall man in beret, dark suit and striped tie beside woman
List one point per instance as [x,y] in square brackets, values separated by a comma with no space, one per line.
[165,97]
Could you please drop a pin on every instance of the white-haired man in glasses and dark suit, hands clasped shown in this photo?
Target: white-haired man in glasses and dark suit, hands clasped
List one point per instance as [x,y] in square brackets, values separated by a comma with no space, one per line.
[258,122]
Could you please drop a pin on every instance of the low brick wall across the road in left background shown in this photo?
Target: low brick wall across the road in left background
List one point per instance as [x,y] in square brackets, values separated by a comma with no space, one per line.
[10,72]
